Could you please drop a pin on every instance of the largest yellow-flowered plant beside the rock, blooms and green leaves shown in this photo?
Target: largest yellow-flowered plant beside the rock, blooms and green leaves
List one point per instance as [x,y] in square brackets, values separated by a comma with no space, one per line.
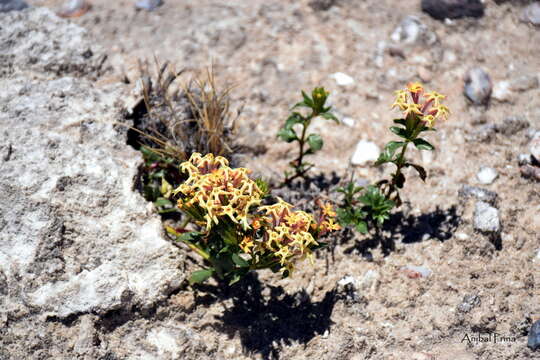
[234,232]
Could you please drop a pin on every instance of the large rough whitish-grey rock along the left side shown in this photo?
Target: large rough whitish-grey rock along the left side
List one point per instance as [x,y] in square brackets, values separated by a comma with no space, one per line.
[76,242]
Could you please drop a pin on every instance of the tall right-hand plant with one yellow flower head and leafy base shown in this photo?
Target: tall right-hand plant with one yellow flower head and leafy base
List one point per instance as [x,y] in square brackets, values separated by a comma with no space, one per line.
[372,205]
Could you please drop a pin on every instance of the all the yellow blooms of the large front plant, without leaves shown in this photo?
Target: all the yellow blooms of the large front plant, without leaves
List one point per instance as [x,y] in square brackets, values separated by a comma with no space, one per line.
[273,232]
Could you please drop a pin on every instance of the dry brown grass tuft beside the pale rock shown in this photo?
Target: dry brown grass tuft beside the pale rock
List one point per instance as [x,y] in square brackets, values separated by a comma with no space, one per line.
[177,120]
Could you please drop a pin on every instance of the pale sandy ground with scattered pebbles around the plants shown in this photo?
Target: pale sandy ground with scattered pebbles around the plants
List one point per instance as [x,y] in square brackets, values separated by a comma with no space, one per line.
[272,49]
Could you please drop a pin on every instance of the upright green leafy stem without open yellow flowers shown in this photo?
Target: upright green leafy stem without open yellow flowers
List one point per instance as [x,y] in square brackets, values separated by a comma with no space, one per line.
[317,107]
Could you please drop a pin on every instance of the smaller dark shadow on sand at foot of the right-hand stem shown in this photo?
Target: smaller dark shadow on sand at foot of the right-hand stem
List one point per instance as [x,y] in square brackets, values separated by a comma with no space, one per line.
[439,224]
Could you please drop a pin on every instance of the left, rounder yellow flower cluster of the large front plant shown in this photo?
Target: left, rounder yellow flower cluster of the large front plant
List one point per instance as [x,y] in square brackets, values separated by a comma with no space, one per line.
[218,190]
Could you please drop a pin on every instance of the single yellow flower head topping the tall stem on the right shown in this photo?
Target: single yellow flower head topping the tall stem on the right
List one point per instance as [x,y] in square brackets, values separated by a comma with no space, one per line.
[428,110]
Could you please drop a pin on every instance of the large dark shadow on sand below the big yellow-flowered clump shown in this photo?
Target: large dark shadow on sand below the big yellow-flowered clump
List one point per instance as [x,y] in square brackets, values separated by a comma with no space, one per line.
[267,318]
